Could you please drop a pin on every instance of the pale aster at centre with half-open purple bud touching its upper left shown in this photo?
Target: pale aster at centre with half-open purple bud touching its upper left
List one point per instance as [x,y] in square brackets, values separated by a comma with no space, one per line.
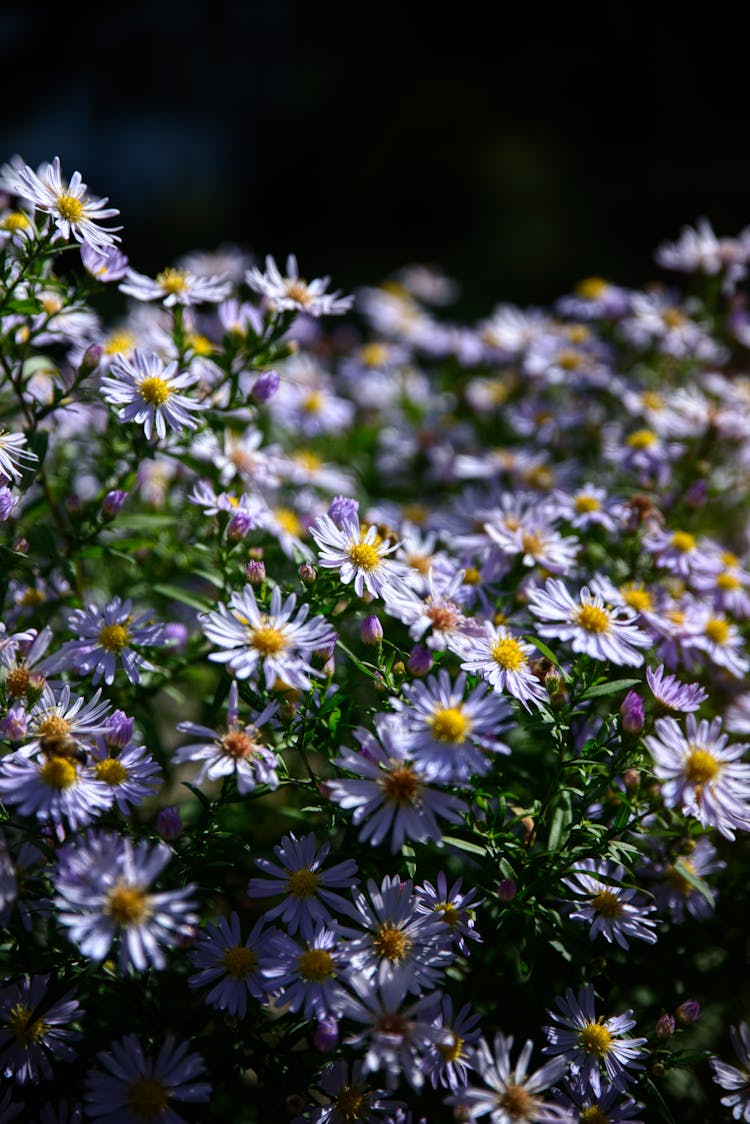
[360,556]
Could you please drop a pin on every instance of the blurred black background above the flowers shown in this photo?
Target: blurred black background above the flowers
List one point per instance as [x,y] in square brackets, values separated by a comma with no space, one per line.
[520,155]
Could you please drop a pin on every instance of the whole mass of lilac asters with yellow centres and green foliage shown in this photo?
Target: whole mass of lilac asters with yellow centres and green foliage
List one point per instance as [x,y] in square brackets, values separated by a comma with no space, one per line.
[372,696]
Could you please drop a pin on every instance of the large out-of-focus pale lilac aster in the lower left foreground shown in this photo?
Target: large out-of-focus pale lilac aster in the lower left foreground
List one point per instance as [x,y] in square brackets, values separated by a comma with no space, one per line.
[104,893]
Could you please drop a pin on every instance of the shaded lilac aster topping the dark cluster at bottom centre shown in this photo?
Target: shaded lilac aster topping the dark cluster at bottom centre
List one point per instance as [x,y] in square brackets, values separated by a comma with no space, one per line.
[309,889]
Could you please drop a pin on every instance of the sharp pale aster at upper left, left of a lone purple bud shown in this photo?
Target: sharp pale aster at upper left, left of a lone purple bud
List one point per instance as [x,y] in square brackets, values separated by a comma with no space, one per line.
[149,393]
